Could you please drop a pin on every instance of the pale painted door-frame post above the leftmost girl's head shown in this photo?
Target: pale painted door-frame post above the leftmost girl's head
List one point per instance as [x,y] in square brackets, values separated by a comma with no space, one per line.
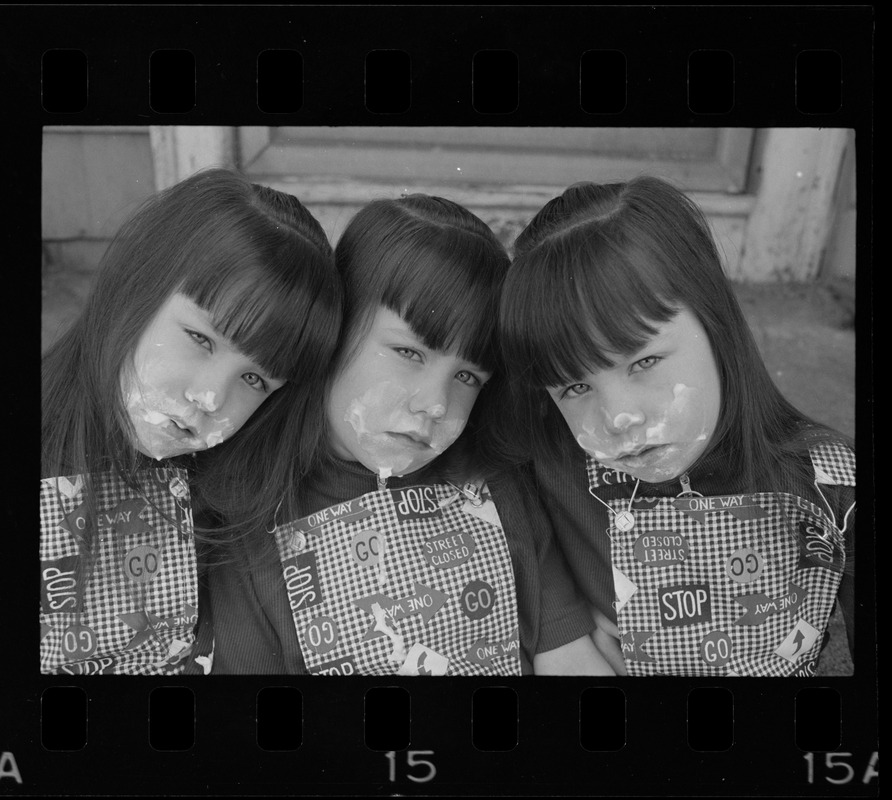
[182,150]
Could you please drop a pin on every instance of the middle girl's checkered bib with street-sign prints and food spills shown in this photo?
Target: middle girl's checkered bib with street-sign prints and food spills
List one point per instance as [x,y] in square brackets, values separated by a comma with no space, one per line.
[473,632]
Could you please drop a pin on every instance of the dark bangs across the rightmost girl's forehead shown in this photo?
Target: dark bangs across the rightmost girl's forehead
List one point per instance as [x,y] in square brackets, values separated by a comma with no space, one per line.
[572,305]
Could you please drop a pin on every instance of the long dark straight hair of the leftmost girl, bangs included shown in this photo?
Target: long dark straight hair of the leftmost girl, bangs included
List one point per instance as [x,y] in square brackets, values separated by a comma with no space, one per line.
[255,259]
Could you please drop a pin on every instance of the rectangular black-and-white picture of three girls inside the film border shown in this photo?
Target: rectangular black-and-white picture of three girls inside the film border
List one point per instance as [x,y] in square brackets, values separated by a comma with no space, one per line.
[452,484]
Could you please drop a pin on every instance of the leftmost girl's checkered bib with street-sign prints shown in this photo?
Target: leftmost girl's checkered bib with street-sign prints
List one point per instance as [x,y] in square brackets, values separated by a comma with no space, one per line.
[140,604]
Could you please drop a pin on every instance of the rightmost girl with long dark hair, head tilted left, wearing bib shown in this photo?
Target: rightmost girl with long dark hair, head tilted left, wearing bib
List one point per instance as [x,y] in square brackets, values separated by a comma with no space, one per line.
[708,522]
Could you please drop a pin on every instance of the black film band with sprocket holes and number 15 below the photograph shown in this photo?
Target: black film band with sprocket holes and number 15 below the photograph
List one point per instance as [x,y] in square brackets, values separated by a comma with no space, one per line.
[562,736]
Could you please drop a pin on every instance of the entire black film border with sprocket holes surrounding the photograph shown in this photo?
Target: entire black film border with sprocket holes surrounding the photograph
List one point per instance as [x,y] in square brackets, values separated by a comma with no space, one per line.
[761,66]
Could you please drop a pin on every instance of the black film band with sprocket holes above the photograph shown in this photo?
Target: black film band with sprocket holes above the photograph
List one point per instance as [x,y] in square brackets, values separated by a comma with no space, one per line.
[468,65]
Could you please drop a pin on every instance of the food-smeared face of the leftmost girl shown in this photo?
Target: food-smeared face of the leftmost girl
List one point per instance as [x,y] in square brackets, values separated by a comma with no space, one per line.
[189,388]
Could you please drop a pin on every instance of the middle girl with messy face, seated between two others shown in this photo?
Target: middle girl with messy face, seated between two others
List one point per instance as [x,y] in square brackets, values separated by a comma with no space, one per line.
[395,556]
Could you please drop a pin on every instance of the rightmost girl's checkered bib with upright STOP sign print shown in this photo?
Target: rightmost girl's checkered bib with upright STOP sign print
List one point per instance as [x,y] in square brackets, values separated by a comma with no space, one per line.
[743,589]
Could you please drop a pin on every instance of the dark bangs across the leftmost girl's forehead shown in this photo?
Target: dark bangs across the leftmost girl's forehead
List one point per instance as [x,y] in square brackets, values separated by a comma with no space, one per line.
[268,313]
